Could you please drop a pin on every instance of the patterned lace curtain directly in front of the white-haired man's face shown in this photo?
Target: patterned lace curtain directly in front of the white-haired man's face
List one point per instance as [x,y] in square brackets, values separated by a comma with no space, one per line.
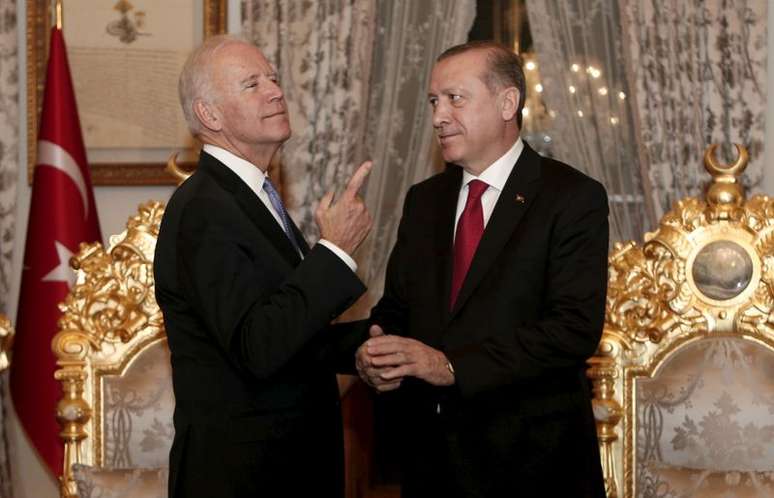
[322,51]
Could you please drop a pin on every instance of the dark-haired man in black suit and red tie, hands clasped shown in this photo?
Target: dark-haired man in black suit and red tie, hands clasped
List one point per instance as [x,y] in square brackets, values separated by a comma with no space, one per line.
[494,298]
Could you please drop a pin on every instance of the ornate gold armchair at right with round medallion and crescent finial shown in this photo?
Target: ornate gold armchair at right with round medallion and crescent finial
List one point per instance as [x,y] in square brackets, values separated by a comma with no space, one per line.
[684,375]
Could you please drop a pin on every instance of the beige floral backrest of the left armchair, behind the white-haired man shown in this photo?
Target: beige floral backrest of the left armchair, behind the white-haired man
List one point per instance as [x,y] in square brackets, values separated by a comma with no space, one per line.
[138,410]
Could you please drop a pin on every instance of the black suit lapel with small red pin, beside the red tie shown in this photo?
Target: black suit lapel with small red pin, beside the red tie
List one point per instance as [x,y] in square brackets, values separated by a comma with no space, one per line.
[517,195]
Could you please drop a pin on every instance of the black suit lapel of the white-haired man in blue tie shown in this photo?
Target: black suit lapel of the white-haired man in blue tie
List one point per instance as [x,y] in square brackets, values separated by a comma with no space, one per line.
[253,207]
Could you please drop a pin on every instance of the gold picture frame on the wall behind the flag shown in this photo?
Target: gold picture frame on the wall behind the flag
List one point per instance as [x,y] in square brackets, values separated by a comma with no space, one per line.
[126,172]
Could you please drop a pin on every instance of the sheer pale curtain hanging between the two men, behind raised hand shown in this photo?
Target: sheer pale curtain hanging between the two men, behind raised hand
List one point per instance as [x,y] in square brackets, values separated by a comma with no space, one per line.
[410,35]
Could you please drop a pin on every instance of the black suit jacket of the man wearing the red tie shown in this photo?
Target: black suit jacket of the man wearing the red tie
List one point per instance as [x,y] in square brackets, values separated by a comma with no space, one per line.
[518,422]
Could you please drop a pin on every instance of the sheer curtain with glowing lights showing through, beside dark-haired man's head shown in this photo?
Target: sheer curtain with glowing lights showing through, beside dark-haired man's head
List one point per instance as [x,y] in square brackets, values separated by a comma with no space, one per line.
[578,44]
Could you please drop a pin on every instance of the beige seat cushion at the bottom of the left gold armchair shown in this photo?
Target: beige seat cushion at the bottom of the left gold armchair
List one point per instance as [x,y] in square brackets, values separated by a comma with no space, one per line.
[93,482]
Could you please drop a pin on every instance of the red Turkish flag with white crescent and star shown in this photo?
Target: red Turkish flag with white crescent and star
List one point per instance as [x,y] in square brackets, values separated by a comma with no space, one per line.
[62,215]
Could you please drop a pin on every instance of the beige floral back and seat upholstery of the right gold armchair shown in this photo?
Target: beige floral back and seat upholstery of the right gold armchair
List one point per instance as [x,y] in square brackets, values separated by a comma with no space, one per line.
[706,422]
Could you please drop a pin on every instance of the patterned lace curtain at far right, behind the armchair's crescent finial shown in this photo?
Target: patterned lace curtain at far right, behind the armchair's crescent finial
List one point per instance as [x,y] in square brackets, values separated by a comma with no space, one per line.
[699,71]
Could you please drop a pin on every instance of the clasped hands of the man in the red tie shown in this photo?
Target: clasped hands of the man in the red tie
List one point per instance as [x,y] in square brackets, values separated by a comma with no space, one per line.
[383,361]
